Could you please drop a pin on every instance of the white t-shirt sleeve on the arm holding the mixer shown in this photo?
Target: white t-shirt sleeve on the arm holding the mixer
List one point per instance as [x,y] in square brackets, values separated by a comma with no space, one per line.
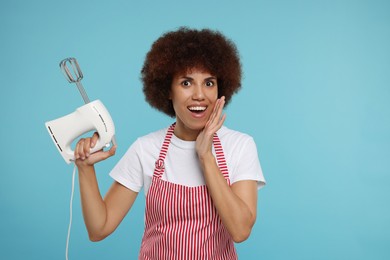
[128,171]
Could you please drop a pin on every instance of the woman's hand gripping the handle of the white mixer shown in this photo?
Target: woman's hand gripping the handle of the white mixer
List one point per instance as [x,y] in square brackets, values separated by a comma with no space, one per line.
[82,152]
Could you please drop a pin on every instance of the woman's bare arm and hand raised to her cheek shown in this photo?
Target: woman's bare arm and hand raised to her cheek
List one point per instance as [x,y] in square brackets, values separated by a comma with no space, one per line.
[236,204]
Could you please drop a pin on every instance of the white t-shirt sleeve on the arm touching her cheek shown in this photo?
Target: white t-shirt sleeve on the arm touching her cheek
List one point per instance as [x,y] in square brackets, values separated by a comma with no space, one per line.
[248,165]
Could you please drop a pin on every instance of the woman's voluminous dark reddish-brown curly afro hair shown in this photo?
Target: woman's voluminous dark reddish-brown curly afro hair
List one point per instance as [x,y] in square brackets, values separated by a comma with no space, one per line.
[184,49]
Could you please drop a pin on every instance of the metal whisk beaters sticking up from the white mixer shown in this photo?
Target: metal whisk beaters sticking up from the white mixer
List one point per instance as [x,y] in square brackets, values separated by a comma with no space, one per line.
[76,77]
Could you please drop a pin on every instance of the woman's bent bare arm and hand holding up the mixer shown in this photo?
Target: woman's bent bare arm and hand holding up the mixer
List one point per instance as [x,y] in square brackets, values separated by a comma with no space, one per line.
[101,216]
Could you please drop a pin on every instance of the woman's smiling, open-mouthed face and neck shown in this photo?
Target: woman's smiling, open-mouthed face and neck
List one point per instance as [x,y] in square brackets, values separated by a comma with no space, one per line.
[193,94]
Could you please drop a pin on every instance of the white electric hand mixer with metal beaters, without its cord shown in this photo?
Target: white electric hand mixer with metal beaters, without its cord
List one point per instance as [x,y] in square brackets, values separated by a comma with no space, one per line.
[91,116]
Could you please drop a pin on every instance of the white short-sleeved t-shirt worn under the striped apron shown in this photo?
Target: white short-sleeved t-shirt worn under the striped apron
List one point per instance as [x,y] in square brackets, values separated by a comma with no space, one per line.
[135,169]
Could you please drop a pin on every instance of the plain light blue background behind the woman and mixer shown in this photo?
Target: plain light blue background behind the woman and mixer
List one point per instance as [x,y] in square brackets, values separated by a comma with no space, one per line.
[315,97]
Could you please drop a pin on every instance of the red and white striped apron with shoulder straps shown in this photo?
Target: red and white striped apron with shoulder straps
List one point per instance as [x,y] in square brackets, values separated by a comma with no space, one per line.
[181,222]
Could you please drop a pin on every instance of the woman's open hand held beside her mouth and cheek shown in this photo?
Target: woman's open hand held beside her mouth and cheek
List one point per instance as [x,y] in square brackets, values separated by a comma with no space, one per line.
[215,122]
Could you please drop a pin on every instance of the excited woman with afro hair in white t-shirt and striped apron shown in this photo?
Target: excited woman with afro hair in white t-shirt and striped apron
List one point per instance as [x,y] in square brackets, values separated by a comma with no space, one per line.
[199,177]
